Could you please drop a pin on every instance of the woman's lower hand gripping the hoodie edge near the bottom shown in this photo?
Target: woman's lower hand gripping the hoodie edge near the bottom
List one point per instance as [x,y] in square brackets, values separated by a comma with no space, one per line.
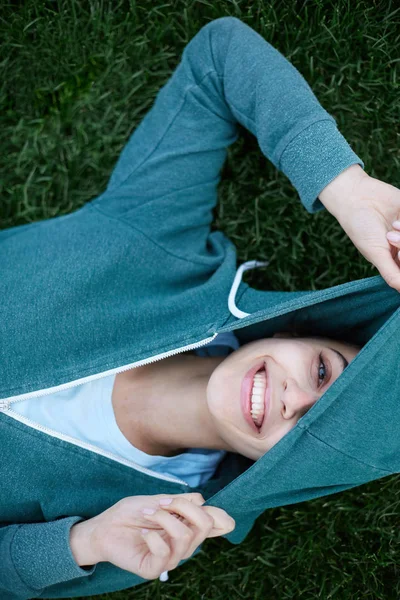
[174,533]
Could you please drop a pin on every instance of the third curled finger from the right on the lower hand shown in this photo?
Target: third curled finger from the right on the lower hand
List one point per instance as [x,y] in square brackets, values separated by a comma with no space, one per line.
[181,535]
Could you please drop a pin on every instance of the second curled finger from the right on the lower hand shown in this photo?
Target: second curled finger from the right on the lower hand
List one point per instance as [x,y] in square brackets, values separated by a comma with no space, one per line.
[199,521]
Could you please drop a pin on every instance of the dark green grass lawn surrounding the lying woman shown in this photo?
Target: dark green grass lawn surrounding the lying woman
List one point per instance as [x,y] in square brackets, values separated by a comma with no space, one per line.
[76,80]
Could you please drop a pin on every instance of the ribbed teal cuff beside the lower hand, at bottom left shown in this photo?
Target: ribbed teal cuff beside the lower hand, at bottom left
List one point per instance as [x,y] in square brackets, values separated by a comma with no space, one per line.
[42,556]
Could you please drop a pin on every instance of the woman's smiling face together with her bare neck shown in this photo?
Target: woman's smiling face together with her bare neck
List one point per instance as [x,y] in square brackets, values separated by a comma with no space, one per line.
[188,401]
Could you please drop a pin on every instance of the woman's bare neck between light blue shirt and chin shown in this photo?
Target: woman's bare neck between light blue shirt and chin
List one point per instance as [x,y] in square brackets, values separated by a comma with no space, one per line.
[162,408]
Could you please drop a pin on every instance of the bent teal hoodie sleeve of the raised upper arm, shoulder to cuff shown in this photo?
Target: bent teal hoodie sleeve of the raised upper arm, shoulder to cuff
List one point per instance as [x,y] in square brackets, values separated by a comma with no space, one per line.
[165,181]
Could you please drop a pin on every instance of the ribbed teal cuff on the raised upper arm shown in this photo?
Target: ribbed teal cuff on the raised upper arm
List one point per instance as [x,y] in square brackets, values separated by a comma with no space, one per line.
[314,158]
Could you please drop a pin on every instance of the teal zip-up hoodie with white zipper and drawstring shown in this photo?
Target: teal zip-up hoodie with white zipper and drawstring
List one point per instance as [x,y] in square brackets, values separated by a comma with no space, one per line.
[136,275]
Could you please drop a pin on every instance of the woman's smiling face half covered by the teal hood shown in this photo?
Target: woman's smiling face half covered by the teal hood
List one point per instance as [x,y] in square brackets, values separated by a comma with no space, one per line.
[298,371]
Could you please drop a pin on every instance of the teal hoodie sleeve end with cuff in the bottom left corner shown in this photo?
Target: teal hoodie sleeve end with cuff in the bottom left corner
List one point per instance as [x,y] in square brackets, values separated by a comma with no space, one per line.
[34,556]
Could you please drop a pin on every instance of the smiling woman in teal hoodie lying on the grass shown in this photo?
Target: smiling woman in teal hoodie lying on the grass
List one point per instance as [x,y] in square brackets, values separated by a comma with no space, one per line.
[104,412]
